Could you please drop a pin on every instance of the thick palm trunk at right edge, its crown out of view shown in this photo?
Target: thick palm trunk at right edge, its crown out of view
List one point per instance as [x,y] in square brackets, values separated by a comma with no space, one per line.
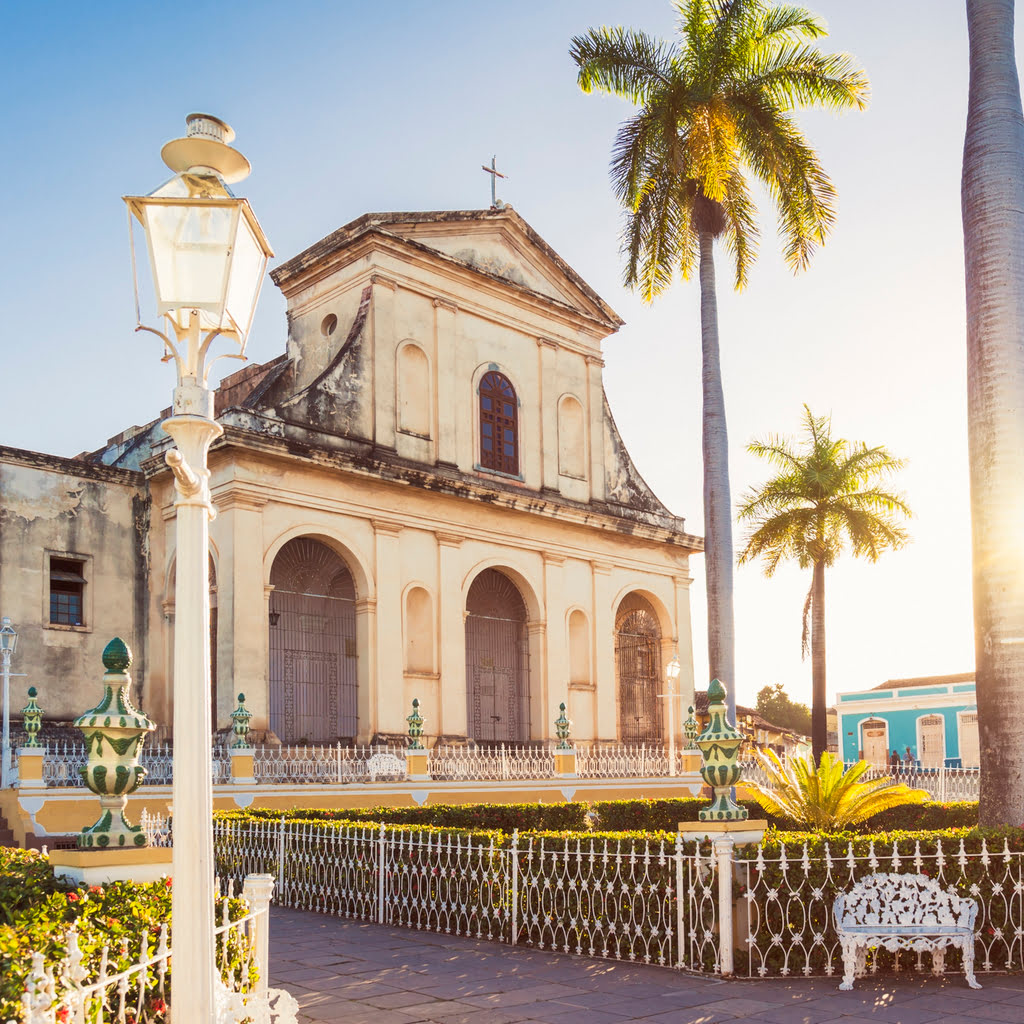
[993,203]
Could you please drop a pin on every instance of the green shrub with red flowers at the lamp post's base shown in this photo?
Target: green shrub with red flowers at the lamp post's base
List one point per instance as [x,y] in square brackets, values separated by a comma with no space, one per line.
[36,911]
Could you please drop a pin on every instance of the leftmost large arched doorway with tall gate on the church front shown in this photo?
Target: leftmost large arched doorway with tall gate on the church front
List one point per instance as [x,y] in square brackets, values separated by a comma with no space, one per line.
[314,688]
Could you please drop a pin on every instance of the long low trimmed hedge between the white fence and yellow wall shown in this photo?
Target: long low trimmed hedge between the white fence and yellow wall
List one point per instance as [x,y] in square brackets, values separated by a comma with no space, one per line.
[507,818]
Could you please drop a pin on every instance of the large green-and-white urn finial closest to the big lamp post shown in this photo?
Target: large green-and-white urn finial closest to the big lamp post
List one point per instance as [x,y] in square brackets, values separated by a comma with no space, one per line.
[114,732]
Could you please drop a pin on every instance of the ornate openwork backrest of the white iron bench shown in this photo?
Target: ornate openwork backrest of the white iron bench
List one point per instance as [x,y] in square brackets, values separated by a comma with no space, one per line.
[886,900]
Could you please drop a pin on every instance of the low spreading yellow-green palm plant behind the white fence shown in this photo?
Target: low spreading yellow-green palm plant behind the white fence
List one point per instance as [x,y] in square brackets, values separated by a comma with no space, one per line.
[827,798]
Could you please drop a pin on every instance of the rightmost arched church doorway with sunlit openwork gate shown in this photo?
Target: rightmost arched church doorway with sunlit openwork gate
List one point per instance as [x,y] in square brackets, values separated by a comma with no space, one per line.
[638,671]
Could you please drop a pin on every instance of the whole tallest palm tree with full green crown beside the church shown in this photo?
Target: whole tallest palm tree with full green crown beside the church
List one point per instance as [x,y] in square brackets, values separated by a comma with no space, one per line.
[715,110]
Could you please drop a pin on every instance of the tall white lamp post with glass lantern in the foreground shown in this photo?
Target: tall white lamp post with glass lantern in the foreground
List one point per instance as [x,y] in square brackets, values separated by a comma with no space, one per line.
[208,257]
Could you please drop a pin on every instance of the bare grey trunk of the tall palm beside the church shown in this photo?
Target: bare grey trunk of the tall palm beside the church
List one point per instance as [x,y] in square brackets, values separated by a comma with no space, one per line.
[718,504]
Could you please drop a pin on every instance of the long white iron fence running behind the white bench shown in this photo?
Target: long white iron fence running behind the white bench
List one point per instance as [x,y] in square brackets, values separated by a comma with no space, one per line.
[630,900]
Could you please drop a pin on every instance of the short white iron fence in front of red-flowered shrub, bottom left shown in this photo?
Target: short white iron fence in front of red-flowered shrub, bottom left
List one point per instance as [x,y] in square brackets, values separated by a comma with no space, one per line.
[77,992]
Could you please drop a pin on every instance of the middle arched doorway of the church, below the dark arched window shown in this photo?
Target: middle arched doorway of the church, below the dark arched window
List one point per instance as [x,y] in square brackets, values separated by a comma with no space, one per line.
[497,661]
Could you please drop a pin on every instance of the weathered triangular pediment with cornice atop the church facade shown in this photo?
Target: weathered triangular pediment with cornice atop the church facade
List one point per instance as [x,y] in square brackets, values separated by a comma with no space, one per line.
[497,243]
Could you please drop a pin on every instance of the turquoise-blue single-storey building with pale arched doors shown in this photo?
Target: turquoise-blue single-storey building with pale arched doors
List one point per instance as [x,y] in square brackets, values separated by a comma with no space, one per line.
[932,721]
